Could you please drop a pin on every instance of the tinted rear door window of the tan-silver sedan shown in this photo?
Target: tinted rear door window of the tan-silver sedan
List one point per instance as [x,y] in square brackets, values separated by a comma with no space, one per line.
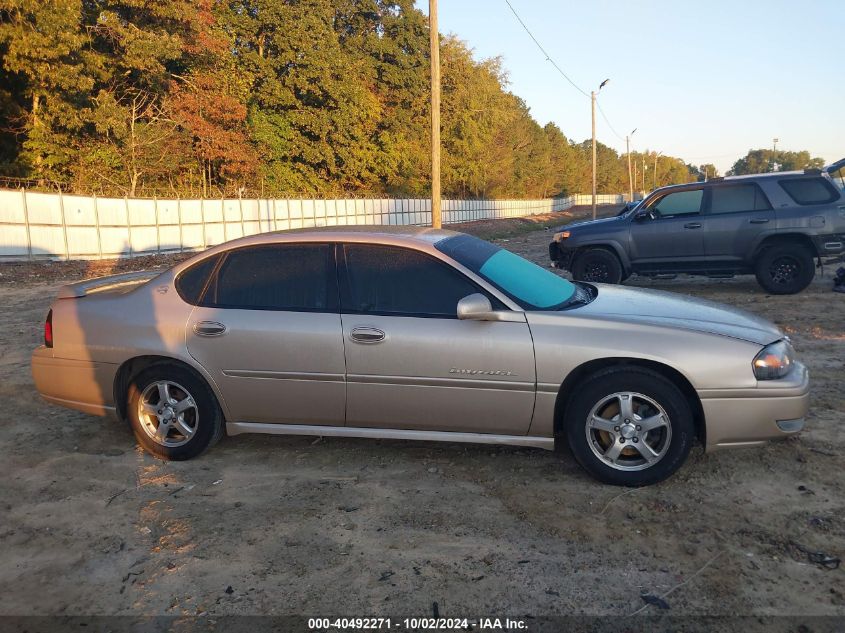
[296,277]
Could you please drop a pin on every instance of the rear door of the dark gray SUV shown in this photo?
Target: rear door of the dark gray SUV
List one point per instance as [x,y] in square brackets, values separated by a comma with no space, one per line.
[737,217]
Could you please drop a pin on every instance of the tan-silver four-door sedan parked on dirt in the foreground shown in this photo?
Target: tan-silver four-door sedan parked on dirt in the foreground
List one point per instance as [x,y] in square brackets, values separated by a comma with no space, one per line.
[416,334]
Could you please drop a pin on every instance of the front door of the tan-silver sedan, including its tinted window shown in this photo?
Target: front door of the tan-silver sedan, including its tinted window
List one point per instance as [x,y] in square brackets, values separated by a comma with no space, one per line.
[412,364]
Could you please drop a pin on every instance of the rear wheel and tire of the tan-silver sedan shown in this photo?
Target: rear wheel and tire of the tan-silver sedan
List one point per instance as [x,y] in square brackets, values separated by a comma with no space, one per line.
[201,419]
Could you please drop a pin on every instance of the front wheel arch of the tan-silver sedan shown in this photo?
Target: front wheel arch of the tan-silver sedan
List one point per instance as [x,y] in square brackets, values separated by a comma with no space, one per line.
[583,371]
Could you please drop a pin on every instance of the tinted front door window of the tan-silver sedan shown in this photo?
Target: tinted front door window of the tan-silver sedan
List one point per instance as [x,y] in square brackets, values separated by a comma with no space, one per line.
[400,281]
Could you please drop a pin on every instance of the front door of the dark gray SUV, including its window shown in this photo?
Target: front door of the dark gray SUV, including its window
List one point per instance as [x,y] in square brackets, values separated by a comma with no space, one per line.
[671,237]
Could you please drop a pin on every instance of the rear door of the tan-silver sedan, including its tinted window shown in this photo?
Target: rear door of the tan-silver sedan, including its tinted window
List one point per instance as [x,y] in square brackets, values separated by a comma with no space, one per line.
[268,330]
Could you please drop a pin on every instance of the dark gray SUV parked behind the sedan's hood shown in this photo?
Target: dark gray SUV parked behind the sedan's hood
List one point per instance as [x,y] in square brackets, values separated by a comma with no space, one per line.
[775,226]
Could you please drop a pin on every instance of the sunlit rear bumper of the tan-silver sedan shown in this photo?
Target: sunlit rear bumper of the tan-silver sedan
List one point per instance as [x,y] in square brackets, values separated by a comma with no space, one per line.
[76,384]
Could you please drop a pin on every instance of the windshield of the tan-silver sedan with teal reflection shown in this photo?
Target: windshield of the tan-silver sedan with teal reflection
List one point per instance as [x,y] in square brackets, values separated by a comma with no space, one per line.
[532,287]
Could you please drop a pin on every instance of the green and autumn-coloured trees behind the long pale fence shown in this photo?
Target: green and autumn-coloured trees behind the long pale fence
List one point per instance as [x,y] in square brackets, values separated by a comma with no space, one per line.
[292,97]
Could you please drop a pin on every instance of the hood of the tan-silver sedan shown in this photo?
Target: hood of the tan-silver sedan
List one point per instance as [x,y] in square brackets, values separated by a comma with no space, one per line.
[668,309]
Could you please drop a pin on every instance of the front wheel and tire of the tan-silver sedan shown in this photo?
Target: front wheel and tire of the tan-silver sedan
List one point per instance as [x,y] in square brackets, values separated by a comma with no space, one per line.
[653,398]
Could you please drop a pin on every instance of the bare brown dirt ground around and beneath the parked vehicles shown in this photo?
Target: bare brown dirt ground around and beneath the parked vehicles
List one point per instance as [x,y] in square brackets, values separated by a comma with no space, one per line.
[292,525]
